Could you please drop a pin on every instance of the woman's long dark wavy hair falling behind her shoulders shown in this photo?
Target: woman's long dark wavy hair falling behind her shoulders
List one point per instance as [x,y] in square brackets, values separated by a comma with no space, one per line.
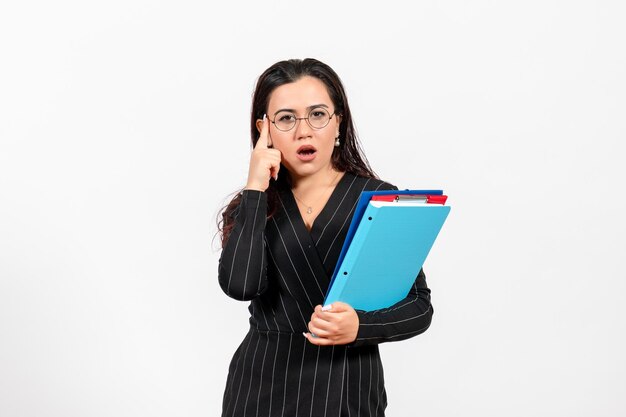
[348,157]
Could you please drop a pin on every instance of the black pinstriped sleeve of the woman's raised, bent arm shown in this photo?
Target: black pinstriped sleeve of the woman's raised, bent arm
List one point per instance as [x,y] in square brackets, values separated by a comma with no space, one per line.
[243,262]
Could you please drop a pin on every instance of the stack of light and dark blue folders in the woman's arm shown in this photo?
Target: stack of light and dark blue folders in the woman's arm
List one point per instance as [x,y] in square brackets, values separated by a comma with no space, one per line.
[386,246]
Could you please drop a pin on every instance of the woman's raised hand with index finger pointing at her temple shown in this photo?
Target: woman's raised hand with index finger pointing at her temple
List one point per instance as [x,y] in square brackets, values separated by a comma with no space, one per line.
[264,161]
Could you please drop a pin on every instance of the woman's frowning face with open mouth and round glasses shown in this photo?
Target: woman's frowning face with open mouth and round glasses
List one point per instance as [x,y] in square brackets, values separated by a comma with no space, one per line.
[305,150]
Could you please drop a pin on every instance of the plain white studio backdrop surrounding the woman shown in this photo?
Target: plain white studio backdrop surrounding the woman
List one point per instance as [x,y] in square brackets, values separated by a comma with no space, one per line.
[124,128]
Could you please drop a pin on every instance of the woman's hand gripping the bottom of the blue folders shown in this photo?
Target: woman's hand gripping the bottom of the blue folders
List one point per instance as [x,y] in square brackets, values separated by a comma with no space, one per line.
[338,325]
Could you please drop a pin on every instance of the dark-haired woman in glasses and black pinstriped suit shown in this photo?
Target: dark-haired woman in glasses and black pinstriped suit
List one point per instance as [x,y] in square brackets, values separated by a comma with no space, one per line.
[281,238]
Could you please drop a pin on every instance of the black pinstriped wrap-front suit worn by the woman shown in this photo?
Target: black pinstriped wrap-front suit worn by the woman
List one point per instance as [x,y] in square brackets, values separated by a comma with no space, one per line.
[285,270]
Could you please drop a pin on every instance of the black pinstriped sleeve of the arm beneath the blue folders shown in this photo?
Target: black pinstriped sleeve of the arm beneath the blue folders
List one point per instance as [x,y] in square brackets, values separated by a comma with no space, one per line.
[407,318]
